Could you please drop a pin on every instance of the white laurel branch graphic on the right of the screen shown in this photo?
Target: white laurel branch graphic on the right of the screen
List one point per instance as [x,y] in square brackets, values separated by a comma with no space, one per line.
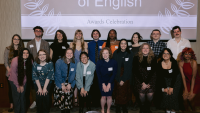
[166,21]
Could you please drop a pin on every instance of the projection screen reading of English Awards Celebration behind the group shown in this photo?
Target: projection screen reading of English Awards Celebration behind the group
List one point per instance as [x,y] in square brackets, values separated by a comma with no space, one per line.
[125,16]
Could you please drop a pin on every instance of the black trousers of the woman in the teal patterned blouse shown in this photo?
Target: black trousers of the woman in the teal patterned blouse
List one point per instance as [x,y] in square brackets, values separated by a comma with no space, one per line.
[42,101]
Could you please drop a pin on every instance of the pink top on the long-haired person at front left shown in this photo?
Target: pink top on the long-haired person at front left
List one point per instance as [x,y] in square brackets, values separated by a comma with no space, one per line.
[14,72]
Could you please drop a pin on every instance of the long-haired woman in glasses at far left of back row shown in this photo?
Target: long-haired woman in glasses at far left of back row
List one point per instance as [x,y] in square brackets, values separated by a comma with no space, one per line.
[10,52]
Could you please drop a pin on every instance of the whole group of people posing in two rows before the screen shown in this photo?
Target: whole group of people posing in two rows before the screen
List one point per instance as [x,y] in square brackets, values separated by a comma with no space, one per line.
[98,72]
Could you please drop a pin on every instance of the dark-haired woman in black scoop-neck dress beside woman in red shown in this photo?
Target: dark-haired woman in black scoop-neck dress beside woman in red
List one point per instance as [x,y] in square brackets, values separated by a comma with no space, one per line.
[169,81]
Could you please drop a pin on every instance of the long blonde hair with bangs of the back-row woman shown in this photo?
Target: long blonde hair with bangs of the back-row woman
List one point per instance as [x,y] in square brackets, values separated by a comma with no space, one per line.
[74,41]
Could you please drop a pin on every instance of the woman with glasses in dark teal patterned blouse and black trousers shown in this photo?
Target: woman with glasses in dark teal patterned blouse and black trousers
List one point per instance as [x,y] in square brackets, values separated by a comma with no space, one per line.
[42,76]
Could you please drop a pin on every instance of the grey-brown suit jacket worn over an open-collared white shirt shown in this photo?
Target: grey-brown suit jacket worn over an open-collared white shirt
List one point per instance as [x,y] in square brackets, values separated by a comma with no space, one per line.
[44,45]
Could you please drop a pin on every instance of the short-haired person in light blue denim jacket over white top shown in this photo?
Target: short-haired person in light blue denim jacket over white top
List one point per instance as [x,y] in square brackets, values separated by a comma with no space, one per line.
[84,78]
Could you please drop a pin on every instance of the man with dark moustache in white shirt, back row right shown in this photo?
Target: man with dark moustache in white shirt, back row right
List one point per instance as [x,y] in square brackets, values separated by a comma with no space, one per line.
[177,44]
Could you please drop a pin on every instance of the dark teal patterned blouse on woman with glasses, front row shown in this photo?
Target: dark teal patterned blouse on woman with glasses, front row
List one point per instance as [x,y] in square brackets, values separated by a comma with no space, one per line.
[42,73]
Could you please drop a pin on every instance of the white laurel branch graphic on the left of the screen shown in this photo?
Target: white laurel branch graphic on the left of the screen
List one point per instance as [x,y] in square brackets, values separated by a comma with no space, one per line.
[52,23]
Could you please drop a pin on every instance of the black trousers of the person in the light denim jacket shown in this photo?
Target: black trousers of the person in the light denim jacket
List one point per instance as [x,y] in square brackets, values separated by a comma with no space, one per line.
[83,99]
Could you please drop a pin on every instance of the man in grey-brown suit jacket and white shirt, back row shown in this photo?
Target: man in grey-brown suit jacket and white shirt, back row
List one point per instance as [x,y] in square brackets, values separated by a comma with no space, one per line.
[34,46]
